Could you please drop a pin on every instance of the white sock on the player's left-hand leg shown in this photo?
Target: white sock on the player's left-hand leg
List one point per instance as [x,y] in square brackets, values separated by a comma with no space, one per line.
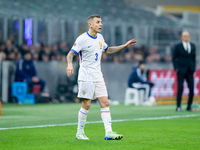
[82,115]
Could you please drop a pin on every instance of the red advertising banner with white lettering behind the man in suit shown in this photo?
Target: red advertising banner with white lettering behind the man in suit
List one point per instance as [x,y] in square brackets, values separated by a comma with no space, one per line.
[166,84]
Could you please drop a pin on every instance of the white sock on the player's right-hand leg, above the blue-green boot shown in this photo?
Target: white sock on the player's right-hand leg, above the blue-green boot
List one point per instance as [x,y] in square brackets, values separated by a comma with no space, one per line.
[105,115]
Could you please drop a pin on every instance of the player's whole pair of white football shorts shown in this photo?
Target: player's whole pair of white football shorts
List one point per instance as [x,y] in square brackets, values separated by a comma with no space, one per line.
[91,90]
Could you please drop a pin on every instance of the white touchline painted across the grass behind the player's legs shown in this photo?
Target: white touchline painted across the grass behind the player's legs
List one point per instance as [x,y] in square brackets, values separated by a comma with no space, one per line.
[91,122]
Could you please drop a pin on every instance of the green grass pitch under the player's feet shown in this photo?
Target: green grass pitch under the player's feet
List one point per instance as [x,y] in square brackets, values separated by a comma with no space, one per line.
[144,128]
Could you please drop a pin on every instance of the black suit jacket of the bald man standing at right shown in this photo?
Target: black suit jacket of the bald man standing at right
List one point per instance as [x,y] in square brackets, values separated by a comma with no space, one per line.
[182,60]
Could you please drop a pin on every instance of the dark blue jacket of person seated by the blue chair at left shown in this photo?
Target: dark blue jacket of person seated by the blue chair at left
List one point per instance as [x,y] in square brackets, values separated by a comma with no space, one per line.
[25,70]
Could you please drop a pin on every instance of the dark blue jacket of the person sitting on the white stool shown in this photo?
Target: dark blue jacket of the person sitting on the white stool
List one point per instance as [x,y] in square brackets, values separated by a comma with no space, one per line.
[136,77]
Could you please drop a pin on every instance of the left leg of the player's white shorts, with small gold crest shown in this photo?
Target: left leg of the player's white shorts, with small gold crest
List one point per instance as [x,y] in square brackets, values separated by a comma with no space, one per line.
[86,90]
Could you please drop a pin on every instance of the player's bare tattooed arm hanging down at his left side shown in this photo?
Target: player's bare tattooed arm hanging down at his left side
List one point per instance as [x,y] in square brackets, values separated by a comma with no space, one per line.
[69,58]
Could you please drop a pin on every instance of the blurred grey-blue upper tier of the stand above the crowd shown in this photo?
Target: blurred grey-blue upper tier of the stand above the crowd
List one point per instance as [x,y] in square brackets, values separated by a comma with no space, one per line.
[72,9]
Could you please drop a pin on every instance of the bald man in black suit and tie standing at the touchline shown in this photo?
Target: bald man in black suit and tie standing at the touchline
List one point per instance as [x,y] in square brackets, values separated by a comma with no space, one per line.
[184,64]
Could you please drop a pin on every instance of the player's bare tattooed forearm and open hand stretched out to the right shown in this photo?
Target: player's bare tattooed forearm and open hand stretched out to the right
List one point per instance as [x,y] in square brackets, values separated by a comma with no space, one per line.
[115,49]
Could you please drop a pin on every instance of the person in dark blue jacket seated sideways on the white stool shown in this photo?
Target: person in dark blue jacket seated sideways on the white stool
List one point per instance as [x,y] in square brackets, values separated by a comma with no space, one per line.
[139,80]
